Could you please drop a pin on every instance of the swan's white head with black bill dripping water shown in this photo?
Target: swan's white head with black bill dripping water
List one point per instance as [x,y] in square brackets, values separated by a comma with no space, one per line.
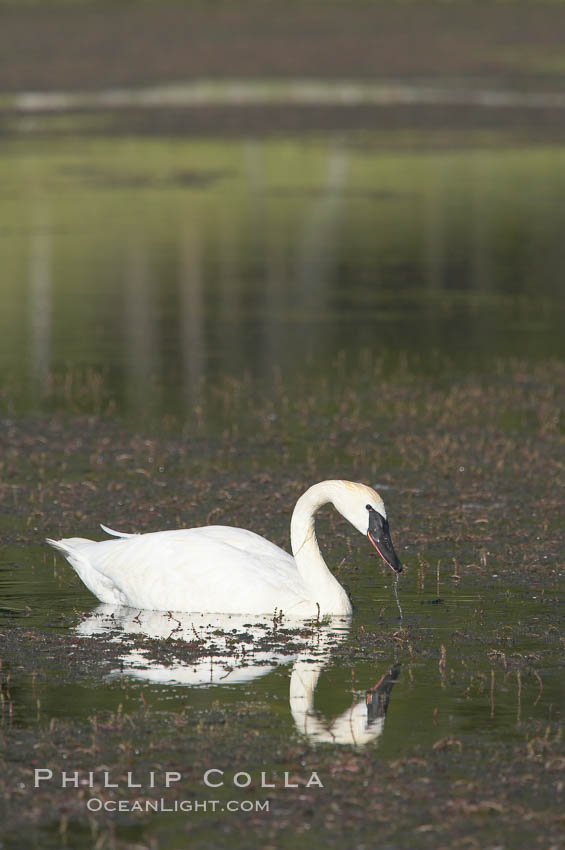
[364,509]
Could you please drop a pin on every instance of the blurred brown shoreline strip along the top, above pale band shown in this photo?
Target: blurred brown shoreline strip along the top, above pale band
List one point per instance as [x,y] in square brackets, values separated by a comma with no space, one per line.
[45,46]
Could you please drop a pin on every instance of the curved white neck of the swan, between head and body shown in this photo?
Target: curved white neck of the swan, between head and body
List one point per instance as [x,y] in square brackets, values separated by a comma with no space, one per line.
[321,585]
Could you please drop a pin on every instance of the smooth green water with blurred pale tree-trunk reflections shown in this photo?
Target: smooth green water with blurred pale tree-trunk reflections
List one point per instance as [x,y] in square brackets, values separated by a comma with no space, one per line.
[161,264]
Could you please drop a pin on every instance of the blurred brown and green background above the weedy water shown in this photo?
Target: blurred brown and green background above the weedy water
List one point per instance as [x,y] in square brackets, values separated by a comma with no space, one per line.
[192,190]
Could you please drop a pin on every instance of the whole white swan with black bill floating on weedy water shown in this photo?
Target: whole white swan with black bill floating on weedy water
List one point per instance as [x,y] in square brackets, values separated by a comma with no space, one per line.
[230,570]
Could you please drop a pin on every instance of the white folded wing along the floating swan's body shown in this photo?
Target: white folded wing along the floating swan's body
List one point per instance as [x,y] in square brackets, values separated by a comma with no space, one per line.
[211,569]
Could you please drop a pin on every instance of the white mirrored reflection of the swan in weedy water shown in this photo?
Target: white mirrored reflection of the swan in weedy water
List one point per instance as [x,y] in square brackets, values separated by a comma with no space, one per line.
[236,649]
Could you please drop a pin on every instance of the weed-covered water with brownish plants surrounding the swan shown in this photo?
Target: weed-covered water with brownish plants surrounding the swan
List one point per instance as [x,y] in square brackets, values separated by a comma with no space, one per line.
[469,466]
